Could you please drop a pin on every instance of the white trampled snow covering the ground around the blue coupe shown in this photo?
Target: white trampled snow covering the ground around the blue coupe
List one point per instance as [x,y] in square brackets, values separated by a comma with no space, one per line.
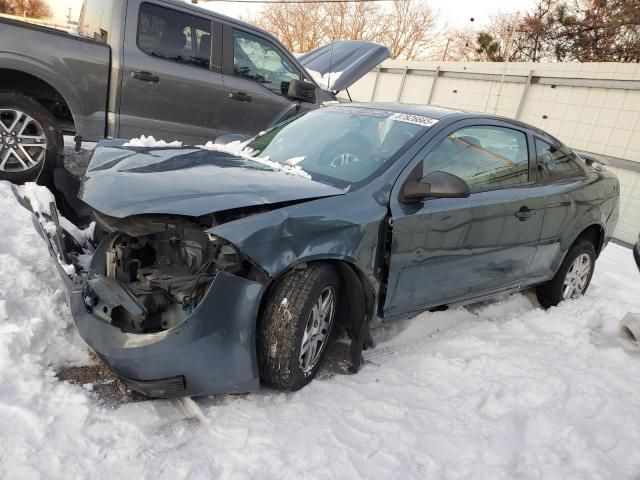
[497,390]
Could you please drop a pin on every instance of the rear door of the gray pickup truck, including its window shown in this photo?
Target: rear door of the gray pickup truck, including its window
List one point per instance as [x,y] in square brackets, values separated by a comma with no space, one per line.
[172,82]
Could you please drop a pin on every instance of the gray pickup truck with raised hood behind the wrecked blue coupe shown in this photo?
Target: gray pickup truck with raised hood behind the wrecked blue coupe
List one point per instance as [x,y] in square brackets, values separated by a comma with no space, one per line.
[155,67]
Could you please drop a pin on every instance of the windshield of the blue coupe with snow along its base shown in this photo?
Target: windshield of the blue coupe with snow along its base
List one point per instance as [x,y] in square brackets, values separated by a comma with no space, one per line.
[341,146]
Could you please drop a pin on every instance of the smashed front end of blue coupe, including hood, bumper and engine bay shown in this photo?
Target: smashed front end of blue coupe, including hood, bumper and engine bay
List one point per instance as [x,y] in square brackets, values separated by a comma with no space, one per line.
[168,305]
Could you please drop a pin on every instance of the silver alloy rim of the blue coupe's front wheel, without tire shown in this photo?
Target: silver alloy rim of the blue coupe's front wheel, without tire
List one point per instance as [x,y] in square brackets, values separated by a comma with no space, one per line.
[317,329]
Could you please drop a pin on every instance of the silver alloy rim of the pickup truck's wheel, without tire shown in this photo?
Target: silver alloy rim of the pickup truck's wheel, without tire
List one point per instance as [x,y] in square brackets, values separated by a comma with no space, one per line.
[23,144]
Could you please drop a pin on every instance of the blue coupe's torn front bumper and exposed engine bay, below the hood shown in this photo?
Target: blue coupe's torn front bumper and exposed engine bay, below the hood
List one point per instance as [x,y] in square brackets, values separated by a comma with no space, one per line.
[170,308]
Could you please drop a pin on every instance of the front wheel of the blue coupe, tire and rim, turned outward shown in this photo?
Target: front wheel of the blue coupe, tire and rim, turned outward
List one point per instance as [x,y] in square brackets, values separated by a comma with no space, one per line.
[289,315]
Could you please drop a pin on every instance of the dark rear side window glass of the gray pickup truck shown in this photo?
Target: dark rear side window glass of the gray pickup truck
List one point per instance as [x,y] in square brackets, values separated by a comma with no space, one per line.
[175,36]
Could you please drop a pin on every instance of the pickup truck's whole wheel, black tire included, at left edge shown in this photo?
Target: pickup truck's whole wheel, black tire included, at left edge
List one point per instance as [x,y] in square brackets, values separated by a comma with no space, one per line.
[29,138]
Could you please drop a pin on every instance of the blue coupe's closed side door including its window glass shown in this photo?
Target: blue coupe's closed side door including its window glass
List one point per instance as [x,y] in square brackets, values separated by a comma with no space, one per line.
[449,250]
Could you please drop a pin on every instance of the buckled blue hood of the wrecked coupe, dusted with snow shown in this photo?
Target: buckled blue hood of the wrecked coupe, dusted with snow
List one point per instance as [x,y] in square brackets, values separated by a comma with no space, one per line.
[123,181]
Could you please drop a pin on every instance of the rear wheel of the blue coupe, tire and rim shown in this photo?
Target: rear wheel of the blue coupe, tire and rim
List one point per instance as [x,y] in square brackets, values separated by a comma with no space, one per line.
[553,292]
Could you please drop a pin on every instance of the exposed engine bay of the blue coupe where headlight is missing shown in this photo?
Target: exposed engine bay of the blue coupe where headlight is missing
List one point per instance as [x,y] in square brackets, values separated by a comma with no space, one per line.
[150,273]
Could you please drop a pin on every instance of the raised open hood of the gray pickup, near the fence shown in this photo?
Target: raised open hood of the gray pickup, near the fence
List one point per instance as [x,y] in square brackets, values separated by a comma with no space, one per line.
[340,64]
